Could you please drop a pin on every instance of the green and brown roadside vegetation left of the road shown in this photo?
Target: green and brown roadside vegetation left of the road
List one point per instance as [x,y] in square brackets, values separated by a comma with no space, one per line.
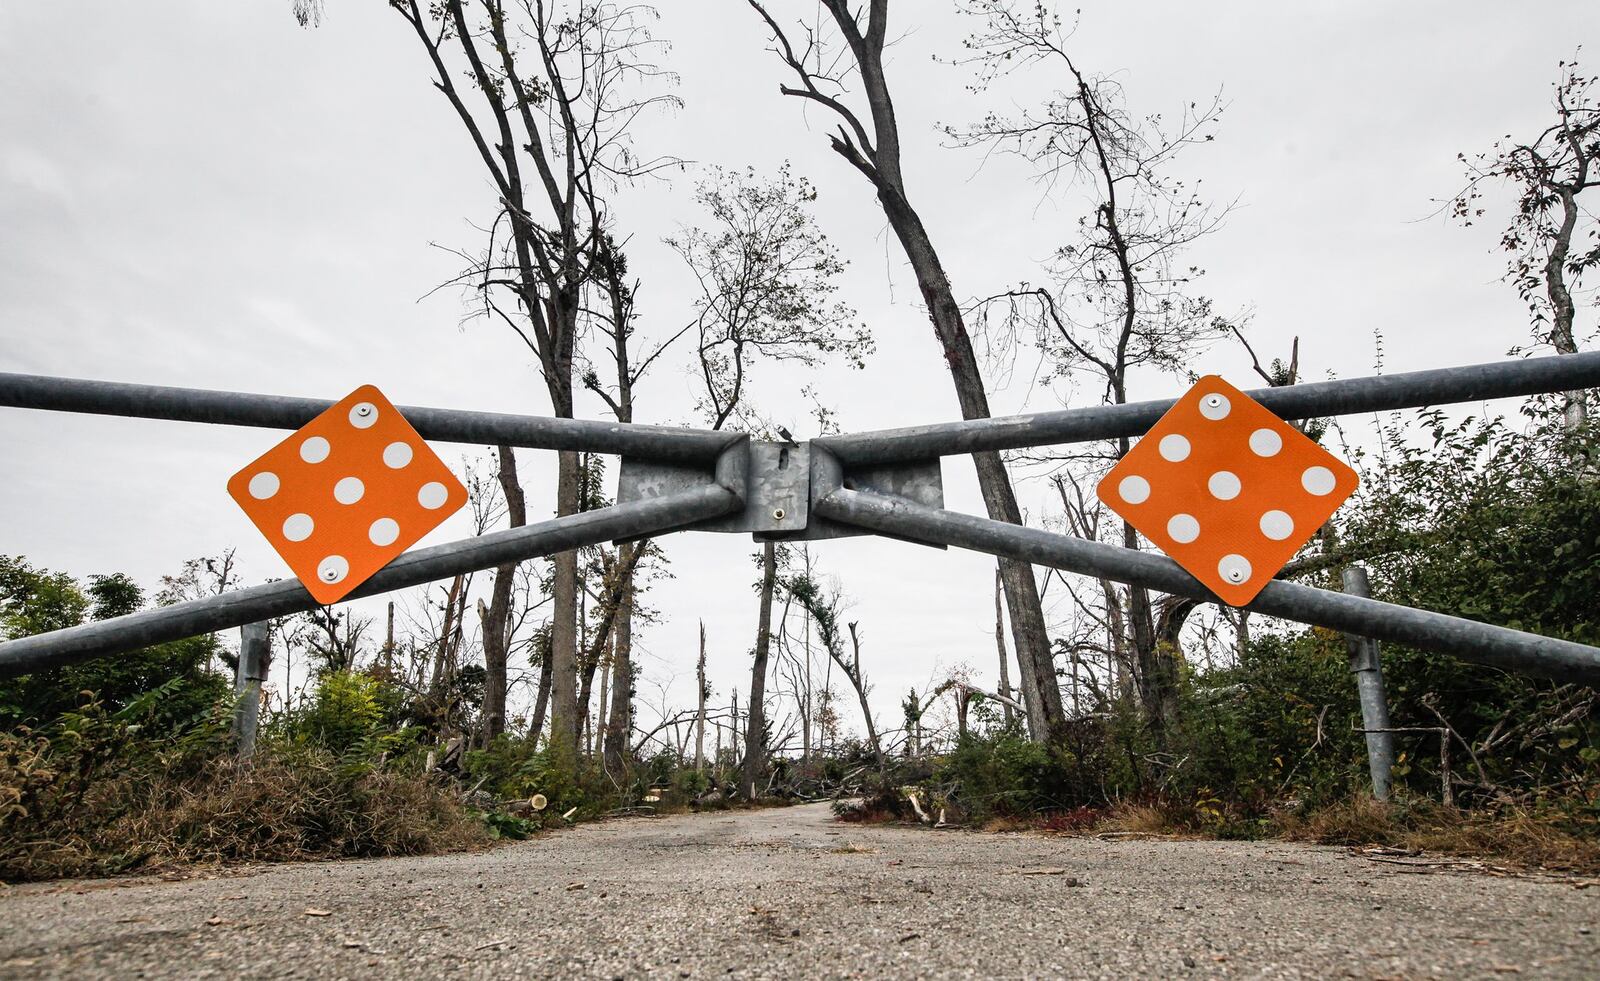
[130,764]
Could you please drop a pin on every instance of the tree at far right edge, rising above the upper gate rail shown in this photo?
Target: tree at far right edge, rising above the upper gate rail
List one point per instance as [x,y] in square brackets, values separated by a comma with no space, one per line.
[1548,174]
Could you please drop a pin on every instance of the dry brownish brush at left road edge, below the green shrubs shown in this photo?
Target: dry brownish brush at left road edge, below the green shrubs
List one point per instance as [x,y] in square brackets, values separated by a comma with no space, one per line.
[94,795]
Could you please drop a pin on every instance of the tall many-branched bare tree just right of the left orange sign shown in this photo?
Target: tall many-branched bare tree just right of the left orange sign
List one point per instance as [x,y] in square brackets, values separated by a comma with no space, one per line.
[553,94]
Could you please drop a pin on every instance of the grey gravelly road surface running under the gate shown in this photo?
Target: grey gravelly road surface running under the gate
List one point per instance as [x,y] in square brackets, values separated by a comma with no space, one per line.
[791,894]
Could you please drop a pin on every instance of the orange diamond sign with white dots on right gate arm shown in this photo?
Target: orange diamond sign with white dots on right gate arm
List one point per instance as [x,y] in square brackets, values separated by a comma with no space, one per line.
[1230,490]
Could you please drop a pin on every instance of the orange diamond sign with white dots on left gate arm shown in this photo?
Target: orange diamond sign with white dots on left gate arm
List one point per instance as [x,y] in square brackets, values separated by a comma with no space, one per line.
[348,494]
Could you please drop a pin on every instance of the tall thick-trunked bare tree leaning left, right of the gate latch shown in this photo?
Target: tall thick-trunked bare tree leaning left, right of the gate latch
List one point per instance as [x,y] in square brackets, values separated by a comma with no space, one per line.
[873,146]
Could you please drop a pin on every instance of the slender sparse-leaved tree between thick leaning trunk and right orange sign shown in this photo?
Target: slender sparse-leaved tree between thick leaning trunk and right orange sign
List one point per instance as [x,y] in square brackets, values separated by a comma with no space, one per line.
[1121,300]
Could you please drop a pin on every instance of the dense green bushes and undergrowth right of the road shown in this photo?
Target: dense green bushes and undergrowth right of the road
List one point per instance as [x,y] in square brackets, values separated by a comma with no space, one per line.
[1479,519]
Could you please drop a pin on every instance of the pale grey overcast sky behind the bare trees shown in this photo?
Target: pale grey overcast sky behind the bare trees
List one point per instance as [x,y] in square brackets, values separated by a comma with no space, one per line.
[204,194]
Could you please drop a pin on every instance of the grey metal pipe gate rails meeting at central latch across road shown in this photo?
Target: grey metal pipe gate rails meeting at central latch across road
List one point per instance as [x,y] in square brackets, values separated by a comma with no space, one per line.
[874,482]
